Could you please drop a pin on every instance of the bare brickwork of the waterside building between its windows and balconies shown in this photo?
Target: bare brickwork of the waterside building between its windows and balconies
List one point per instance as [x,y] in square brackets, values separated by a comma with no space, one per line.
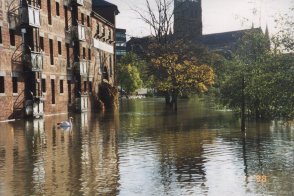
[59,70]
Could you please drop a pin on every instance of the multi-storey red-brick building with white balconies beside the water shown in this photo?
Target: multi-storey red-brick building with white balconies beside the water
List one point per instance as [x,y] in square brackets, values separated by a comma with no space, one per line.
[54,54]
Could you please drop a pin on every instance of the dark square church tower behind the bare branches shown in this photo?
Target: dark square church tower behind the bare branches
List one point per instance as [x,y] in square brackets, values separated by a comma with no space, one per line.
[187,19]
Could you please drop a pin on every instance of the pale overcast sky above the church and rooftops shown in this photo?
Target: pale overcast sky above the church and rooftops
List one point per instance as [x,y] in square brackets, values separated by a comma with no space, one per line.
[218,15]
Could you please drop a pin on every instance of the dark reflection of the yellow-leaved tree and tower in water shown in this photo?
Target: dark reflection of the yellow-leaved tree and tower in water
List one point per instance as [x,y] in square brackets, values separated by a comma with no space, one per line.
[182,160]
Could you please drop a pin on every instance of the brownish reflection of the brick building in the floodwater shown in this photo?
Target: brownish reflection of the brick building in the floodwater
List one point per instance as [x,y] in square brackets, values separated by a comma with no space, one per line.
[45,160]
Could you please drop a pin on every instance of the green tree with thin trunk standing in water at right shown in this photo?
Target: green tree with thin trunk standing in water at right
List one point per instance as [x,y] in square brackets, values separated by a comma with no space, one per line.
[240,89]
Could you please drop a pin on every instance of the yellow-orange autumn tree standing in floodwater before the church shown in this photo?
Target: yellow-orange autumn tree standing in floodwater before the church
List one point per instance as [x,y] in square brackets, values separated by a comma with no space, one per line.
[176,75]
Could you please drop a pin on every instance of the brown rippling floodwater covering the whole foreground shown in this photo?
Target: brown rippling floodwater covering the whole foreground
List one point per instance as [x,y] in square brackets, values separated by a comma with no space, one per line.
[143,149]
